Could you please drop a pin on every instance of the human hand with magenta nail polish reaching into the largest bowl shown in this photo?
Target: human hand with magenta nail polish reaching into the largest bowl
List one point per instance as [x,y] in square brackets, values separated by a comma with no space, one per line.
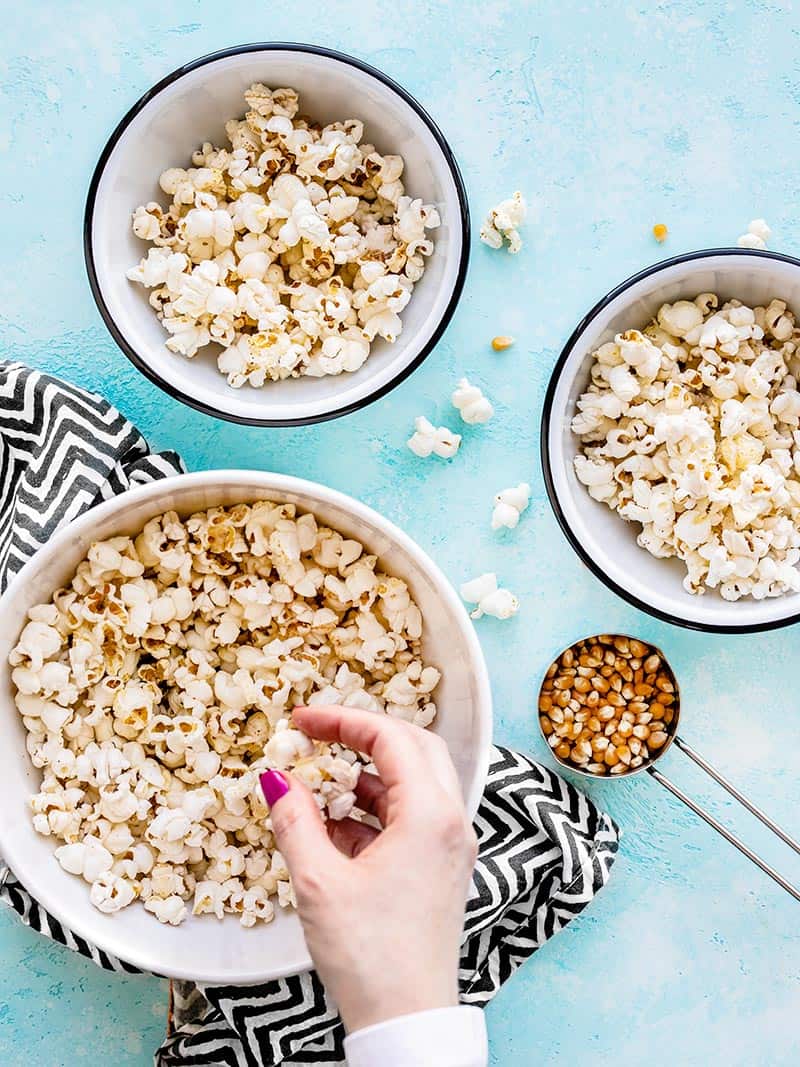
[382,911]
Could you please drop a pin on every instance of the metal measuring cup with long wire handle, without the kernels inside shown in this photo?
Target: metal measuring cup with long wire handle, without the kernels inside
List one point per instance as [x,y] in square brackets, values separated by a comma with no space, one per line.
[649,766]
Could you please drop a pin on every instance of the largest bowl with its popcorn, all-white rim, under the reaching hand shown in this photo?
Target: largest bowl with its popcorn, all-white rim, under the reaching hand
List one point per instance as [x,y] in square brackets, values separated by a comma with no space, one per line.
[151,657]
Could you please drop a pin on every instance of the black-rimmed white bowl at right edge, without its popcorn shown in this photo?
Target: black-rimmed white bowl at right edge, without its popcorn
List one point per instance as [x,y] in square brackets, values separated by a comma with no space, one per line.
[603,540]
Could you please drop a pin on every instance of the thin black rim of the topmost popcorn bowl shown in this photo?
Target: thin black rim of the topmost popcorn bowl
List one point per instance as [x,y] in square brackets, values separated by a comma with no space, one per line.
[129,349]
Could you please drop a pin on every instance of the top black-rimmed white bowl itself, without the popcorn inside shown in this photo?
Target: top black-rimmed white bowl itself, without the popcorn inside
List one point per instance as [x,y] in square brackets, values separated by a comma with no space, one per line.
[191,106]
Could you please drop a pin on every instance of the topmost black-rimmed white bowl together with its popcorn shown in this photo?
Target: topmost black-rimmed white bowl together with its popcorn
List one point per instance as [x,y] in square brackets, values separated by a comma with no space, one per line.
[277,234]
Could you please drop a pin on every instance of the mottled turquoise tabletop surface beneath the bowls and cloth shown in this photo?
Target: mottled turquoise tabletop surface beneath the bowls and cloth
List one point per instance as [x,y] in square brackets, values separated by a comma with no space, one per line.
[610,118]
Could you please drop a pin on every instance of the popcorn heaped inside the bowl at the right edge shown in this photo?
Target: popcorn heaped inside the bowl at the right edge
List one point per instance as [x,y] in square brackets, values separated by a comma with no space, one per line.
[692,429]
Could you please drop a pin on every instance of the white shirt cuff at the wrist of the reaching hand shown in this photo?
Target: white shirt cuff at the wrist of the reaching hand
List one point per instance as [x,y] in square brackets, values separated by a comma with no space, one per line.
[443,1038]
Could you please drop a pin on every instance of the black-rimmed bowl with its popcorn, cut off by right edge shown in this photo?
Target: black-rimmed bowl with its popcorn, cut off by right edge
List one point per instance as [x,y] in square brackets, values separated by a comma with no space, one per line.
[671,440]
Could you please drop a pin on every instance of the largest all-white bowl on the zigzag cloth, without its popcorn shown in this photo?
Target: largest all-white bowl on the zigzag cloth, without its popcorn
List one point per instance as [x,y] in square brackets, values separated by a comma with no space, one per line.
[203,948]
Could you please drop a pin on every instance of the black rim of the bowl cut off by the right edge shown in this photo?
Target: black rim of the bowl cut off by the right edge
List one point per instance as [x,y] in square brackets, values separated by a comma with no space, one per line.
[548,417]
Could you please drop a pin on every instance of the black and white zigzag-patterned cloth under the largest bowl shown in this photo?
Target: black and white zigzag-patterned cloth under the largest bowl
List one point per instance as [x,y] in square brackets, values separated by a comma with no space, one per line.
[546,850]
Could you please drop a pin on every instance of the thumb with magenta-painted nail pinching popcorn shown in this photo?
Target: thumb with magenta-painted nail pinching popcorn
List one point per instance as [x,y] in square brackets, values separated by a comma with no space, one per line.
[297,822]
